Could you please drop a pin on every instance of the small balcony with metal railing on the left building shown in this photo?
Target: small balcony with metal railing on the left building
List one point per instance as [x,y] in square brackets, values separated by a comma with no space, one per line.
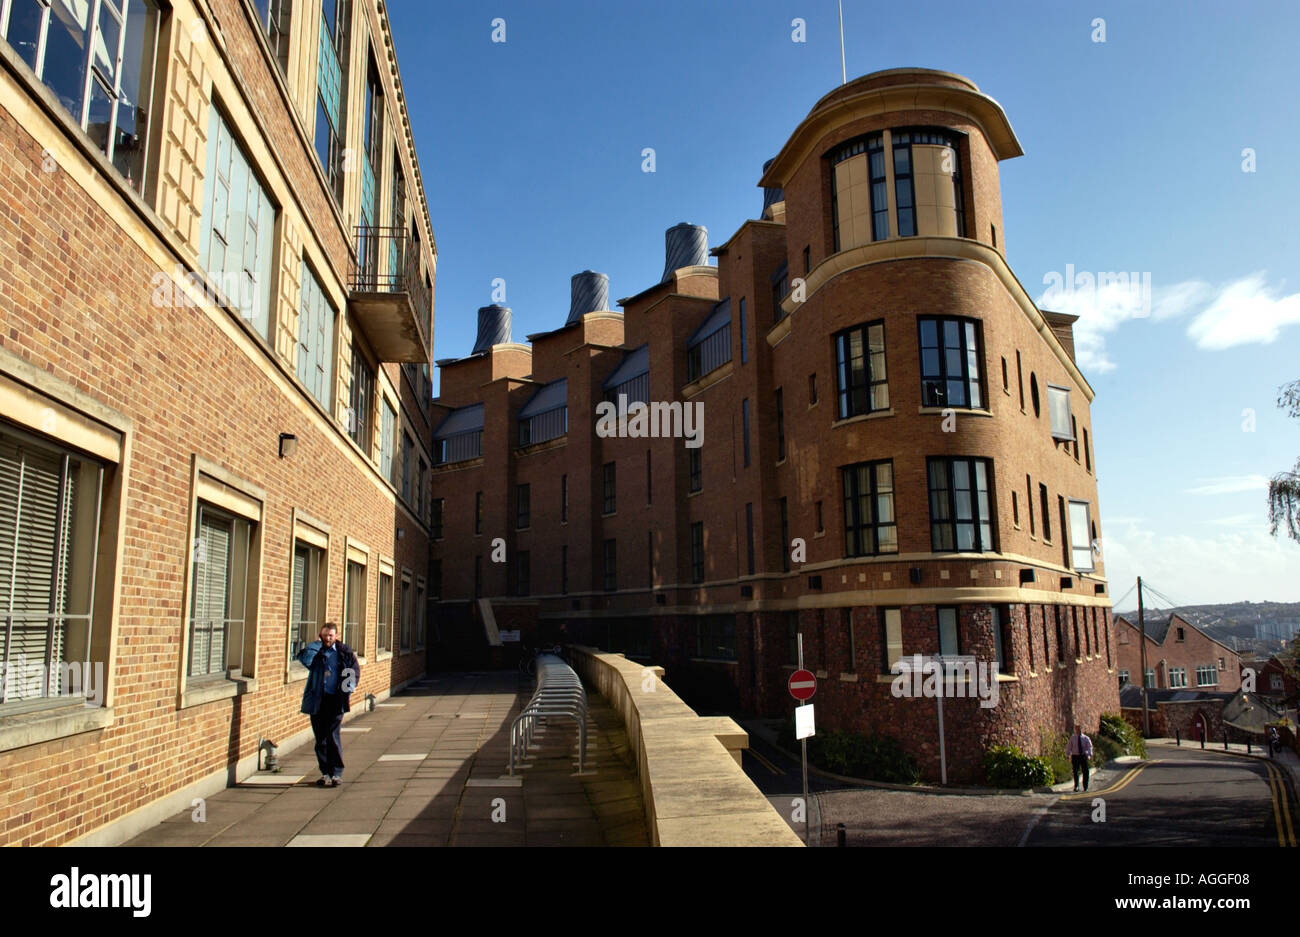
[389,296]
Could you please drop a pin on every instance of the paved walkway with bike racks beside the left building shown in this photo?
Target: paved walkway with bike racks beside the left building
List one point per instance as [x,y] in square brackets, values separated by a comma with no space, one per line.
[430,769]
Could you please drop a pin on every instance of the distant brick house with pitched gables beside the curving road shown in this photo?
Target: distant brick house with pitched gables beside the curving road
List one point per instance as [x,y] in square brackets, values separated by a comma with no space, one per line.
[1180,656]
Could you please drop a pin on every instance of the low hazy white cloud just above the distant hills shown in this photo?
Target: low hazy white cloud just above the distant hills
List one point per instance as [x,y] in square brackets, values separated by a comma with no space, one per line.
[1228,566]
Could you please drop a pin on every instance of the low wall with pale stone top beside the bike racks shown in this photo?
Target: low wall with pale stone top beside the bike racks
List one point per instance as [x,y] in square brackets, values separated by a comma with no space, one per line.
[695,789]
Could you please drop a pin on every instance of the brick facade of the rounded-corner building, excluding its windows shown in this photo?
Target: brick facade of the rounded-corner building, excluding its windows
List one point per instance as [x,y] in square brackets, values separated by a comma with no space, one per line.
[721,626]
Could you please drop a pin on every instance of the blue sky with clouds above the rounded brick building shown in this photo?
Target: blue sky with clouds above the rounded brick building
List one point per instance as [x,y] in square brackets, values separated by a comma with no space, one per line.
[531,154]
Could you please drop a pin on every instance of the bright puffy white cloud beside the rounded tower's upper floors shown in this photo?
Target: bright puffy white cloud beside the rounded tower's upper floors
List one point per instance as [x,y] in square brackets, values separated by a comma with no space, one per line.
[1242,313]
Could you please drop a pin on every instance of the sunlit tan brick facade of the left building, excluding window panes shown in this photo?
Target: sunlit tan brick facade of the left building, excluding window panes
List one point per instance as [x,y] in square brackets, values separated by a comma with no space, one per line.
[193,396]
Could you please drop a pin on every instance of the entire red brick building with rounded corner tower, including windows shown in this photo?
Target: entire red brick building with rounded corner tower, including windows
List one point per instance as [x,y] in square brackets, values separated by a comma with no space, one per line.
[896,448]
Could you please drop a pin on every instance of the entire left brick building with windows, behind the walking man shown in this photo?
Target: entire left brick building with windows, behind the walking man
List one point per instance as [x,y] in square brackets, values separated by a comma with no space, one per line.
[215,393]
